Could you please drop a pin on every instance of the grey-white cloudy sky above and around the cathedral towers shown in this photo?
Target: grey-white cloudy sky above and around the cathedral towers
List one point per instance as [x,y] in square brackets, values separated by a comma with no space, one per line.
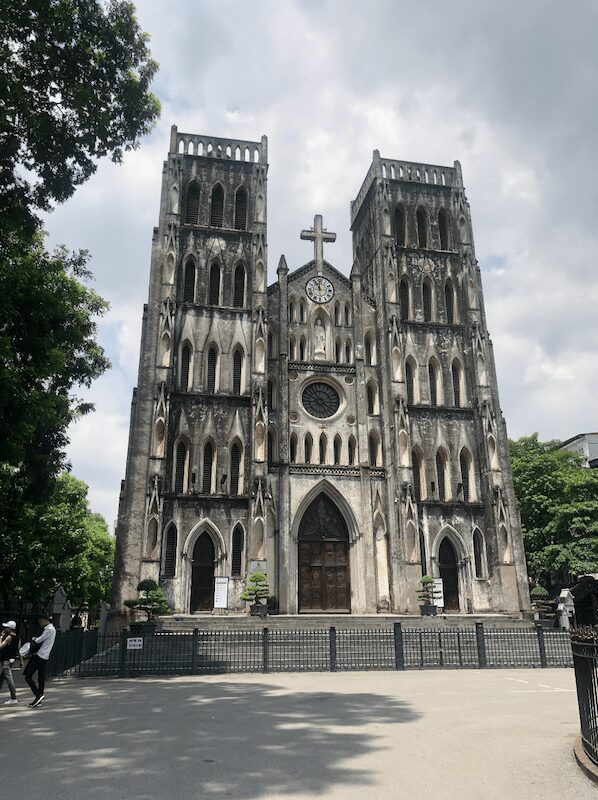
[510,89]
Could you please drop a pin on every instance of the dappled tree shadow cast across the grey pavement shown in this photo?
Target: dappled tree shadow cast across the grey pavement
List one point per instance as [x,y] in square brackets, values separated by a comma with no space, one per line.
[186,738]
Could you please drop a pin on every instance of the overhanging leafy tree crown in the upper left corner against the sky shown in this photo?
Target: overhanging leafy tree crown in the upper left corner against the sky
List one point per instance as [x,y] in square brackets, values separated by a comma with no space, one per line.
[74,86]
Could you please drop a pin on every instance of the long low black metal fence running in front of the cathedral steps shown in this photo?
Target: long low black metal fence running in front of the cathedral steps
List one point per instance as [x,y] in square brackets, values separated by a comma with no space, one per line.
[86,654]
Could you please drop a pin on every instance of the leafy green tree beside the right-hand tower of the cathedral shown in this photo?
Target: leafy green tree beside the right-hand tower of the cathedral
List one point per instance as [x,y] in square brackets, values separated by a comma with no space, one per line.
[558,499]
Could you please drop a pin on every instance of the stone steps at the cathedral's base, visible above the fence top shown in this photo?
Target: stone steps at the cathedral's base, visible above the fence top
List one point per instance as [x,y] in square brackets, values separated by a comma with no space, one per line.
[233,622]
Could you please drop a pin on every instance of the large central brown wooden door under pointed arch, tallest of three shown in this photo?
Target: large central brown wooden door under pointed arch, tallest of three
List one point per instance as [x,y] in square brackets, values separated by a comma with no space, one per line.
[324,577]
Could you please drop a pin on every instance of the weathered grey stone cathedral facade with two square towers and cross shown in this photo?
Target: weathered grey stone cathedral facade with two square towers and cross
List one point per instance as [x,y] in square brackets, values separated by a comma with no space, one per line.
[344,433]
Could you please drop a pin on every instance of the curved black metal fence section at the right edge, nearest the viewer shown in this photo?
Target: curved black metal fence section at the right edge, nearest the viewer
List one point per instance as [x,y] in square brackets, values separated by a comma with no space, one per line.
[584,644]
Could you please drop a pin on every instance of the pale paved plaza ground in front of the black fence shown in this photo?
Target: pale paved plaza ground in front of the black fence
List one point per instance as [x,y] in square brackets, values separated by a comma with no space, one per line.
[456,735]
